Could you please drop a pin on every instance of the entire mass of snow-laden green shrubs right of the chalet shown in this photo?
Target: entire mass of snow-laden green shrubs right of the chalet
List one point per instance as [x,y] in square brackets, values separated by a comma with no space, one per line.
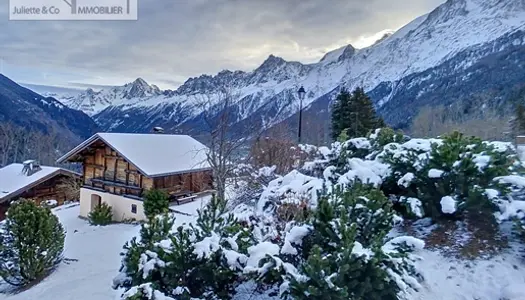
[335,244]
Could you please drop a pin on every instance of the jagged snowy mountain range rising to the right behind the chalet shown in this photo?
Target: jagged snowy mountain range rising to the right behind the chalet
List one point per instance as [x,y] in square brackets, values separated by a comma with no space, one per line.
[429,52]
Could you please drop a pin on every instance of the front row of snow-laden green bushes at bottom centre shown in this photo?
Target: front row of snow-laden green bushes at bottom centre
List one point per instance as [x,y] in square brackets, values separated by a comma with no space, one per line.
[222,252]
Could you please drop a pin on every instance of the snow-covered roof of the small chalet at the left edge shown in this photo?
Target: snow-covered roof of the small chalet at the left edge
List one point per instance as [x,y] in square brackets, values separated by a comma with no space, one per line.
[13,181]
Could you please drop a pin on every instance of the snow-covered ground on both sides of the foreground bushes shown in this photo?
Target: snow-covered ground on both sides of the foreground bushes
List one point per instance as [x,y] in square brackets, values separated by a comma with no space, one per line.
[97,251]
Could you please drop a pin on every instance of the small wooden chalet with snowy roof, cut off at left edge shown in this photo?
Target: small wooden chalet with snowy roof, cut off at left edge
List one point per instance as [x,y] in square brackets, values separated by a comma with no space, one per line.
[31,181]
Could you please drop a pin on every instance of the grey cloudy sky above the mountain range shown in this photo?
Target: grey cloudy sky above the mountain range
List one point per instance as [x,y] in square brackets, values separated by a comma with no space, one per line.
[177,39]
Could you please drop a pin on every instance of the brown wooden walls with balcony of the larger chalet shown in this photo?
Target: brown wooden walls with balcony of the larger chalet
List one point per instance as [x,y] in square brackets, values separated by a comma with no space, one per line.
[104,169]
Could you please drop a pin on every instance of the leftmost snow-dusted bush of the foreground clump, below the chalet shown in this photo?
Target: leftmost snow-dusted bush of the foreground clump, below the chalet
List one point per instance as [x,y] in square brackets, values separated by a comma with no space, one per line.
[201,261]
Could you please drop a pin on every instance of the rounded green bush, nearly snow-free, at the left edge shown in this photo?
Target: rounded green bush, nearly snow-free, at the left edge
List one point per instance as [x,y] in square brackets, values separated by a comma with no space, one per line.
[32,243]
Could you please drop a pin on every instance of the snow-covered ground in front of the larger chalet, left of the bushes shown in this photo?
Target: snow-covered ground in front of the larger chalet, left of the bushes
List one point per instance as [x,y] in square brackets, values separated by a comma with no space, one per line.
[97,250]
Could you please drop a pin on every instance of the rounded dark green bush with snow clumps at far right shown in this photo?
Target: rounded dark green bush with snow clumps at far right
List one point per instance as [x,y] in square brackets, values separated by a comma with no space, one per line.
[447,177]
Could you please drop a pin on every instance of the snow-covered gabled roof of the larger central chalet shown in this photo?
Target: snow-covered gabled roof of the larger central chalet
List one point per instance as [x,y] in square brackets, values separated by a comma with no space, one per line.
[153,154]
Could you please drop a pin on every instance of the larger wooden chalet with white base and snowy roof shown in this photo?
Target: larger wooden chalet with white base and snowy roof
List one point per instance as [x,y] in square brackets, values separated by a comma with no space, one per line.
[118,168]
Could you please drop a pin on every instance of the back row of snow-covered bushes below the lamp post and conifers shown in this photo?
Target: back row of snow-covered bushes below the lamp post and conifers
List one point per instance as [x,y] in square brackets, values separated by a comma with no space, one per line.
[441,178]
